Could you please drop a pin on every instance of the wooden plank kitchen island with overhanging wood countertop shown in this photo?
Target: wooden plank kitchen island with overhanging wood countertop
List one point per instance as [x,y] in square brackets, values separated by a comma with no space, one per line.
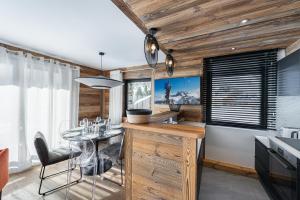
[162,161]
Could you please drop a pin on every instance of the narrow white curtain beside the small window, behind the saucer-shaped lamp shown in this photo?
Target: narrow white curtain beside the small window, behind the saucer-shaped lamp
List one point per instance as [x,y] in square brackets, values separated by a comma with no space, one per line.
[116,99]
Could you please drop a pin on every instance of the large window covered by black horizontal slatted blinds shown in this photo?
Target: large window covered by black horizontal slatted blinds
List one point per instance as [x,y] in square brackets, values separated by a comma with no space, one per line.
[240,90]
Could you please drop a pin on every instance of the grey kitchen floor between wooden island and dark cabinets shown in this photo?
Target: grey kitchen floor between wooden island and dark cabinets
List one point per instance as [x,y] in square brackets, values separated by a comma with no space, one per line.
[226,186]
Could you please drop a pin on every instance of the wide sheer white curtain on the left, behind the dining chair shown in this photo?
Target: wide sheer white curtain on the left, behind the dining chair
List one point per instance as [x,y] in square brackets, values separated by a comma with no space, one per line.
[36,95]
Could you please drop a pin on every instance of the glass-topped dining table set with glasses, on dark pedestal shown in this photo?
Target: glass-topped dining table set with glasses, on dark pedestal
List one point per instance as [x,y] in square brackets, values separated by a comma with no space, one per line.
[81,134]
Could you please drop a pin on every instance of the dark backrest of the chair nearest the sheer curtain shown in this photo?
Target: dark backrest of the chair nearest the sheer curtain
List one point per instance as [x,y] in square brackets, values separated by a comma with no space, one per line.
[41,148]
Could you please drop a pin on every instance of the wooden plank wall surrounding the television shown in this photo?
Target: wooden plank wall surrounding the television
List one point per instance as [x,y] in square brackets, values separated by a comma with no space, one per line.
[182,69]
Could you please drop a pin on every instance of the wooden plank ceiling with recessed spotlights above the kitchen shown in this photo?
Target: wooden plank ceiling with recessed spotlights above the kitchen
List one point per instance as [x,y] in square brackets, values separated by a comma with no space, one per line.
[205,28]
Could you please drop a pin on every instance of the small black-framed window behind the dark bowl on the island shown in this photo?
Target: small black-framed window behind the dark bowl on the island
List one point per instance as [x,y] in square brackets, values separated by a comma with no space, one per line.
[138,94]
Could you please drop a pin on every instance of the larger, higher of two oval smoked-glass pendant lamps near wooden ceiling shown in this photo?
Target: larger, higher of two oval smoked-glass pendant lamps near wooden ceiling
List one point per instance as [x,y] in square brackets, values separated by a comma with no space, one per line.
[151,48]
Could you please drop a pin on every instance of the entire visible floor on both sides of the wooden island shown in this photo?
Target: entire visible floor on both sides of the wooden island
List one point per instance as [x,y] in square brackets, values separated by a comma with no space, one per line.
[215,185]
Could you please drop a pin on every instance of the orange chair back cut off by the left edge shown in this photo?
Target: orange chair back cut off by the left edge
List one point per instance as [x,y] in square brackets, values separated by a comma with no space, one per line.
[3,168]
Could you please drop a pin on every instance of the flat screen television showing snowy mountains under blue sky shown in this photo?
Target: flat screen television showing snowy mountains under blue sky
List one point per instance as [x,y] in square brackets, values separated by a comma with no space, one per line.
[181,91]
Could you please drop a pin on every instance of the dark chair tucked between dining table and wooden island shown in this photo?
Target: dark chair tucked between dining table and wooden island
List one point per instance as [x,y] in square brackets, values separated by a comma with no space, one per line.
[116,152]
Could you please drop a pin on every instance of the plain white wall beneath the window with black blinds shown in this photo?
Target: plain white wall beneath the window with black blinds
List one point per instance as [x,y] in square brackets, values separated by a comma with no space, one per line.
[231,145]
